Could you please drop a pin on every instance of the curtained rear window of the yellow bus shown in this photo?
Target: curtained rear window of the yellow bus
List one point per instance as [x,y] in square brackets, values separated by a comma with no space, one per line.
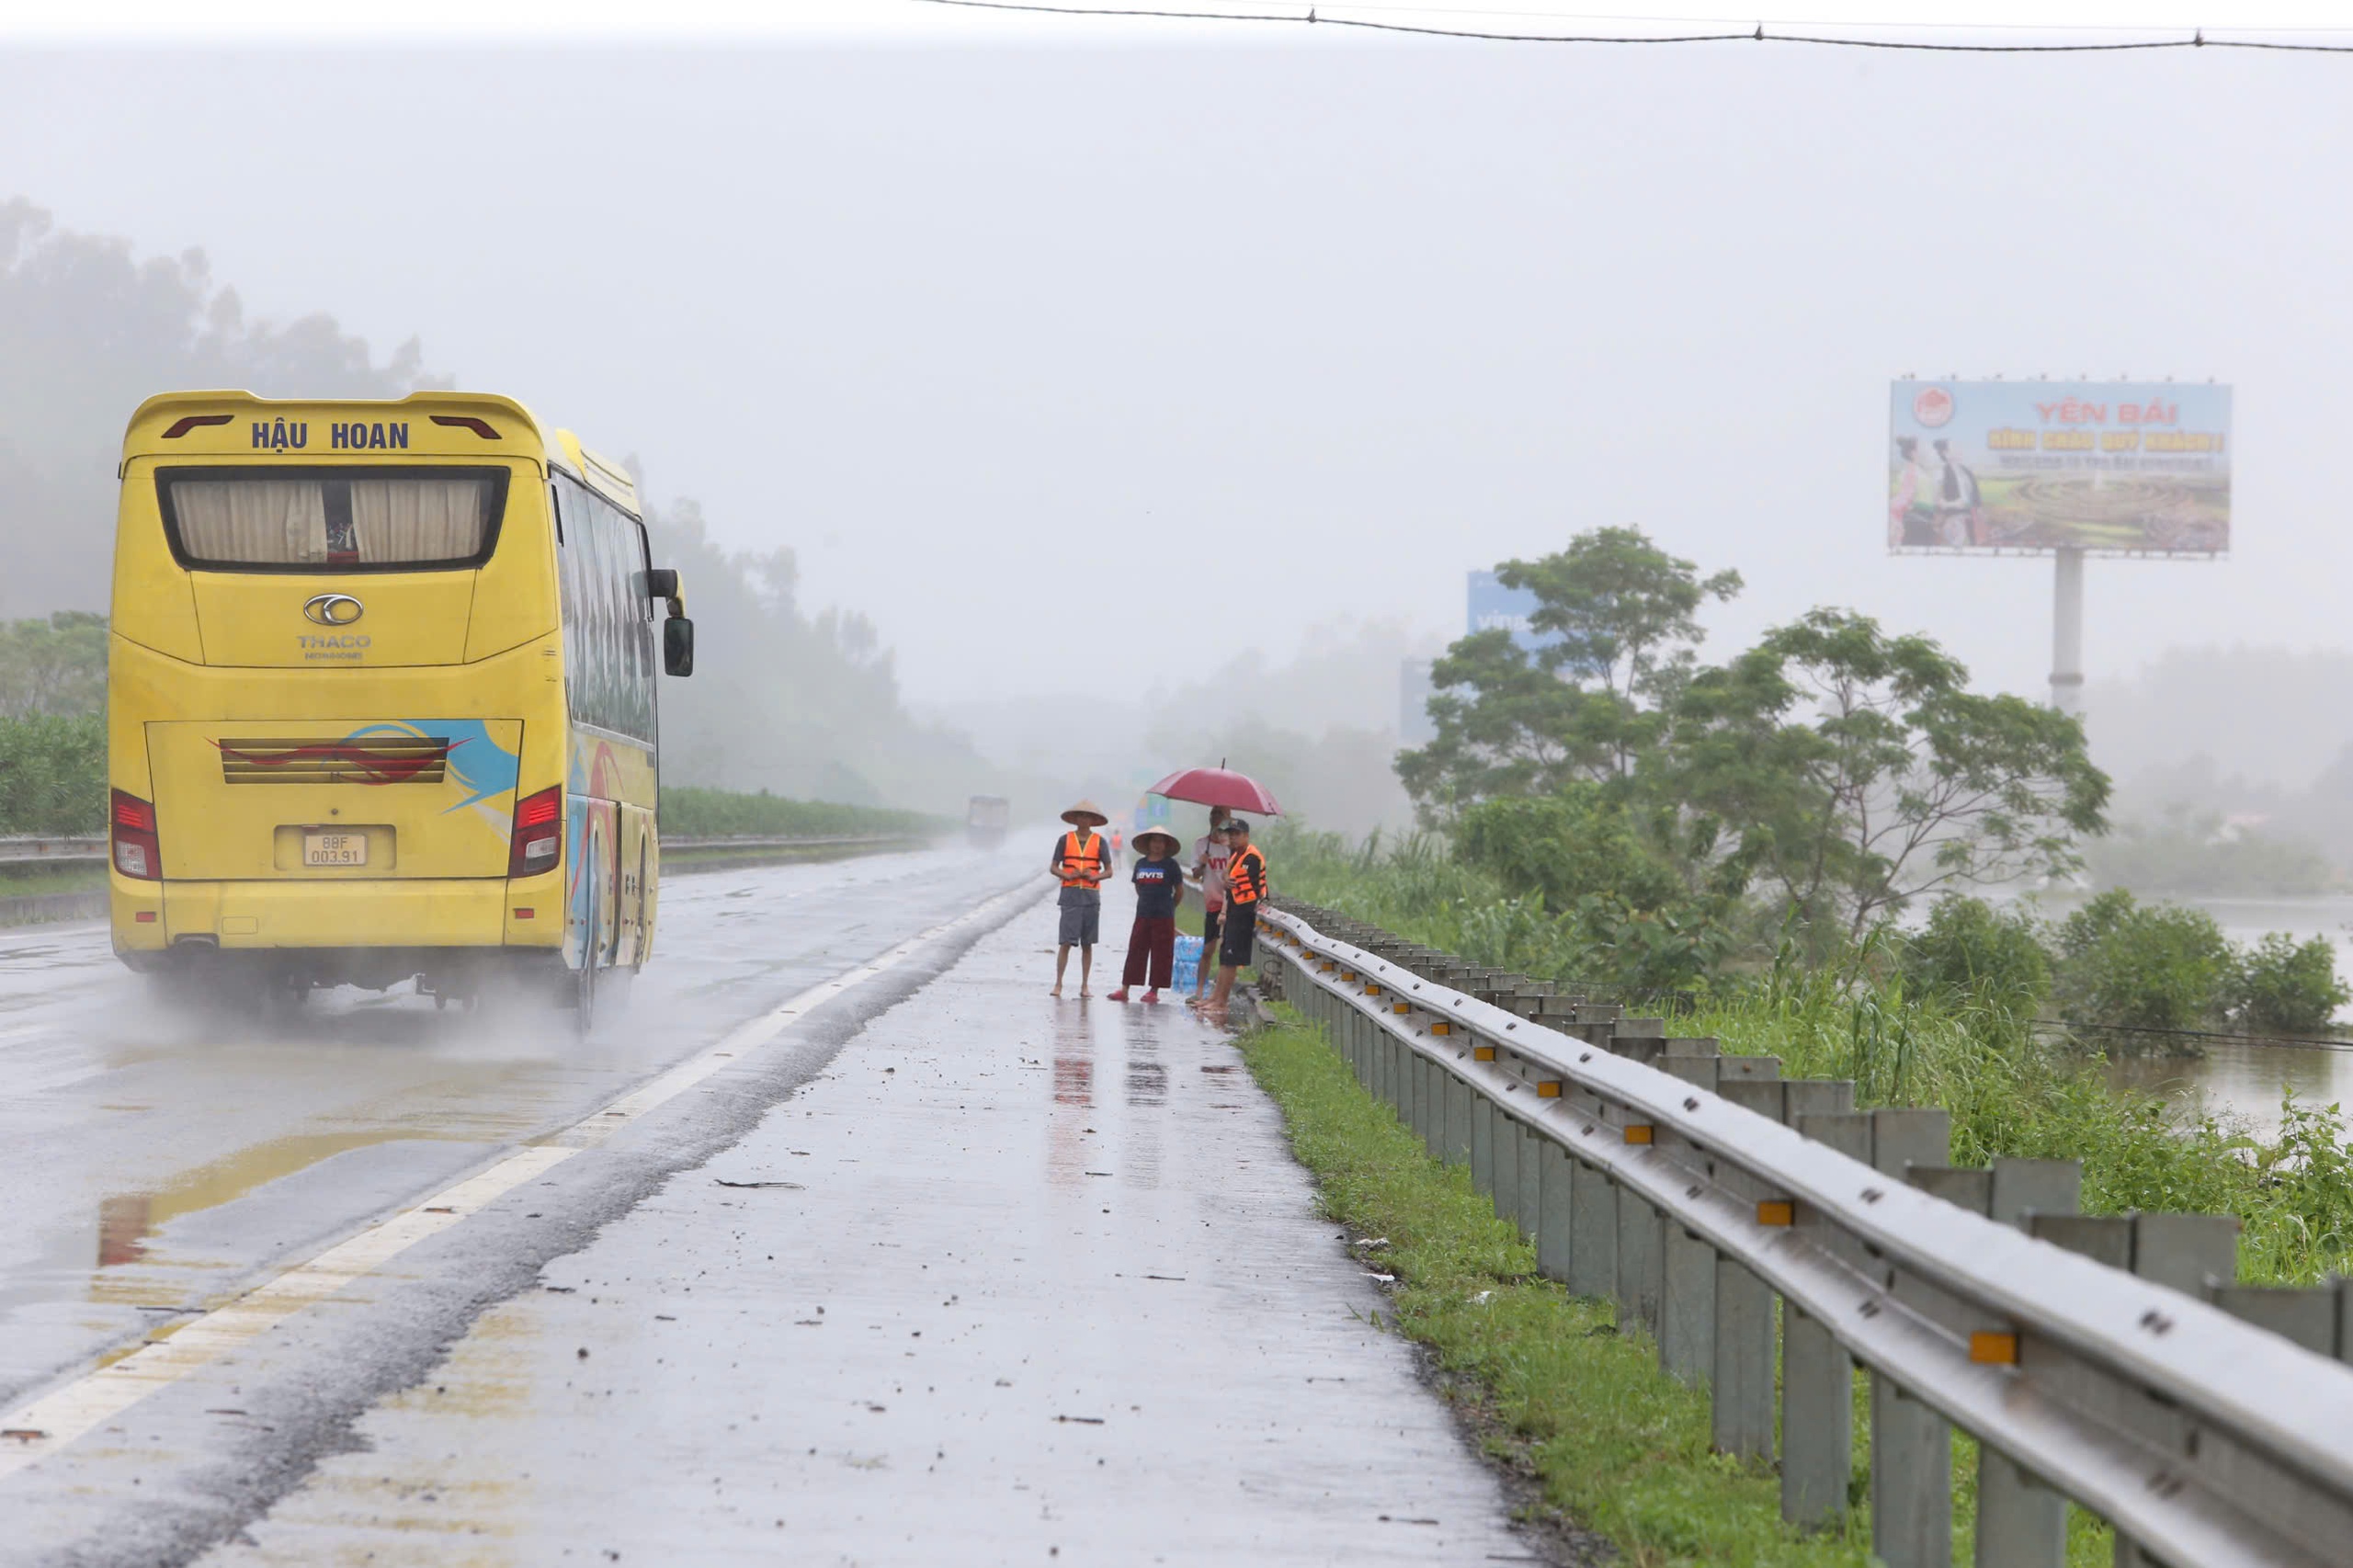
[333,519]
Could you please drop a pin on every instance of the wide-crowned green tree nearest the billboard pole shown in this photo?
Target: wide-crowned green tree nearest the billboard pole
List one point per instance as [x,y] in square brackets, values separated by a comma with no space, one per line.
[1858,771]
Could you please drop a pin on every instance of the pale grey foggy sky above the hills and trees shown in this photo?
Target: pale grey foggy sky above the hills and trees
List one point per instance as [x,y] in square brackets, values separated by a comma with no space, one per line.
[1081,366]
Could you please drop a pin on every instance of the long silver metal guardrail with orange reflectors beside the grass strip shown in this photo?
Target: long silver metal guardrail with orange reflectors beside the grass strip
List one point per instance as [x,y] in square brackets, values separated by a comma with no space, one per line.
[1695,1190]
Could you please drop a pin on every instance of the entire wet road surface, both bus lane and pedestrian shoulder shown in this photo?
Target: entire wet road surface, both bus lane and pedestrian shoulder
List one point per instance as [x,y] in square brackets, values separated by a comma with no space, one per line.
[1001,1280]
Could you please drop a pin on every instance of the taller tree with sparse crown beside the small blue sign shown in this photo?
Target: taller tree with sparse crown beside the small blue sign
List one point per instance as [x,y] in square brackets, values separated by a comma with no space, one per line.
[1585,707]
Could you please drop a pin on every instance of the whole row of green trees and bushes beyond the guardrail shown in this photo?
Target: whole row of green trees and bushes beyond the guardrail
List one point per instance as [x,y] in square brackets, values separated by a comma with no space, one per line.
[1672,820]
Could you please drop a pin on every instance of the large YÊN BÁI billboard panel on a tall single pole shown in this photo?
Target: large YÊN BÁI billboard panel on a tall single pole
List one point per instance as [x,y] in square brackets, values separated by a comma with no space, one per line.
[2102,467]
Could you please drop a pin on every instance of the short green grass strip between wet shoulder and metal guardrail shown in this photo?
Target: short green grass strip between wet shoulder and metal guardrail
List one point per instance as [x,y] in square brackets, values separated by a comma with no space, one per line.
[1613,1442]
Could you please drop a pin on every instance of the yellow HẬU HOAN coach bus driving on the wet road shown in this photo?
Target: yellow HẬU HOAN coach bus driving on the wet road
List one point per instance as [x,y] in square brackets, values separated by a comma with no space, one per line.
[380,700]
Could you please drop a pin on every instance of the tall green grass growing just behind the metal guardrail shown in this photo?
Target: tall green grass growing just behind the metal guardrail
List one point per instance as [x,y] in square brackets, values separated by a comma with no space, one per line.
[1973,1051]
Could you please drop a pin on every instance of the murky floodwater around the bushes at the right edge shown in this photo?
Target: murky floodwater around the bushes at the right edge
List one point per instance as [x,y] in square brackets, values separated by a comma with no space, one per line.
[2241,1079]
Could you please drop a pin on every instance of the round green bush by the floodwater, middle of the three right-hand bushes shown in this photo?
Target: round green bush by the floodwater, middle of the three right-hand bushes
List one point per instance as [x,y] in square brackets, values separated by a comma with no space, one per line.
[2142,966]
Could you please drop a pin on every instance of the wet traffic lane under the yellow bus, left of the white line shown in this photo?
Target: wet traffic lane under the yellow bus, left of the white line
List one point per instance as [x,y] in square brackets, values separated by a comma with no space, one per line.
[166,1155]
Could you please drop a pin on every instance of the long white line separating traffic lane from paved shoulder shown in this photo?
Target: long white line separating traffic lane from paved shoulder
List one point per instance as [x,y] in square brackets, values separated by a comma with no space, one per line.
[51,1423]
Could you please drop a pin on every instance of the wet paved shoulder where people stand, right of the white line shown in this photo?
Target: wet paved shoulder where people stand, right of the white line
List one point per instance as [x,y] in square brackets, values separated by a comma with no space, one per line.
[1008,1280]
